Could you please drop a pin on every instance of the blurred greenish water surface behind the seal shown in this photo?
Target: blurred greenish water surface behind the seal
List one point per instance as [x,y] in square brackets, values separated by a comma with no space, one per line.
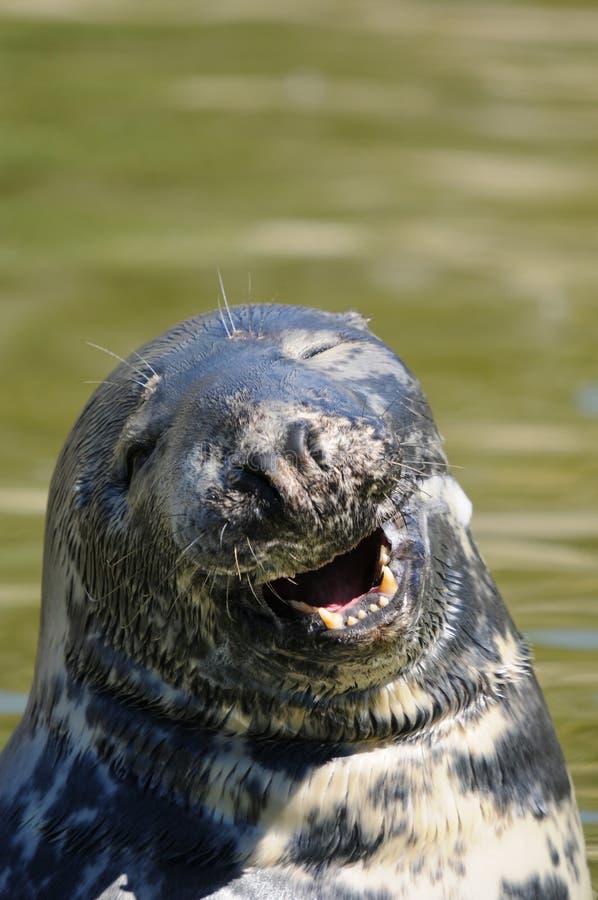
[432,164]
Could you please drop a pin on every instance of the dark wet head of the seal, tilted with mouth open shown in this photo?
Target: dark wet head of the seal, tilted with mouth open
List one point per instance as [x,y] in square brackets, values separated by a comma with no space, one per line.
[236,509]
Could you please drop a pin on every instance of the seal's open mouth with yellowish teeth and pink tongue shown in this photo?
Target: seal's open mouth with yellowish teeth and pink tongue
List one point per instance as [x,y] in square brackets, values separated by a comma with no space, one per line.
[347,591]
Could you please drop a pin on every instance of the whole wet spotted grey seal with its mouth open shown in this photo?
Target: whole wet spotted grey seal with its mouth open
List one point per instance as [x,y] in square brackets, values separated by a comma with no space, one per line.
[271,660]
